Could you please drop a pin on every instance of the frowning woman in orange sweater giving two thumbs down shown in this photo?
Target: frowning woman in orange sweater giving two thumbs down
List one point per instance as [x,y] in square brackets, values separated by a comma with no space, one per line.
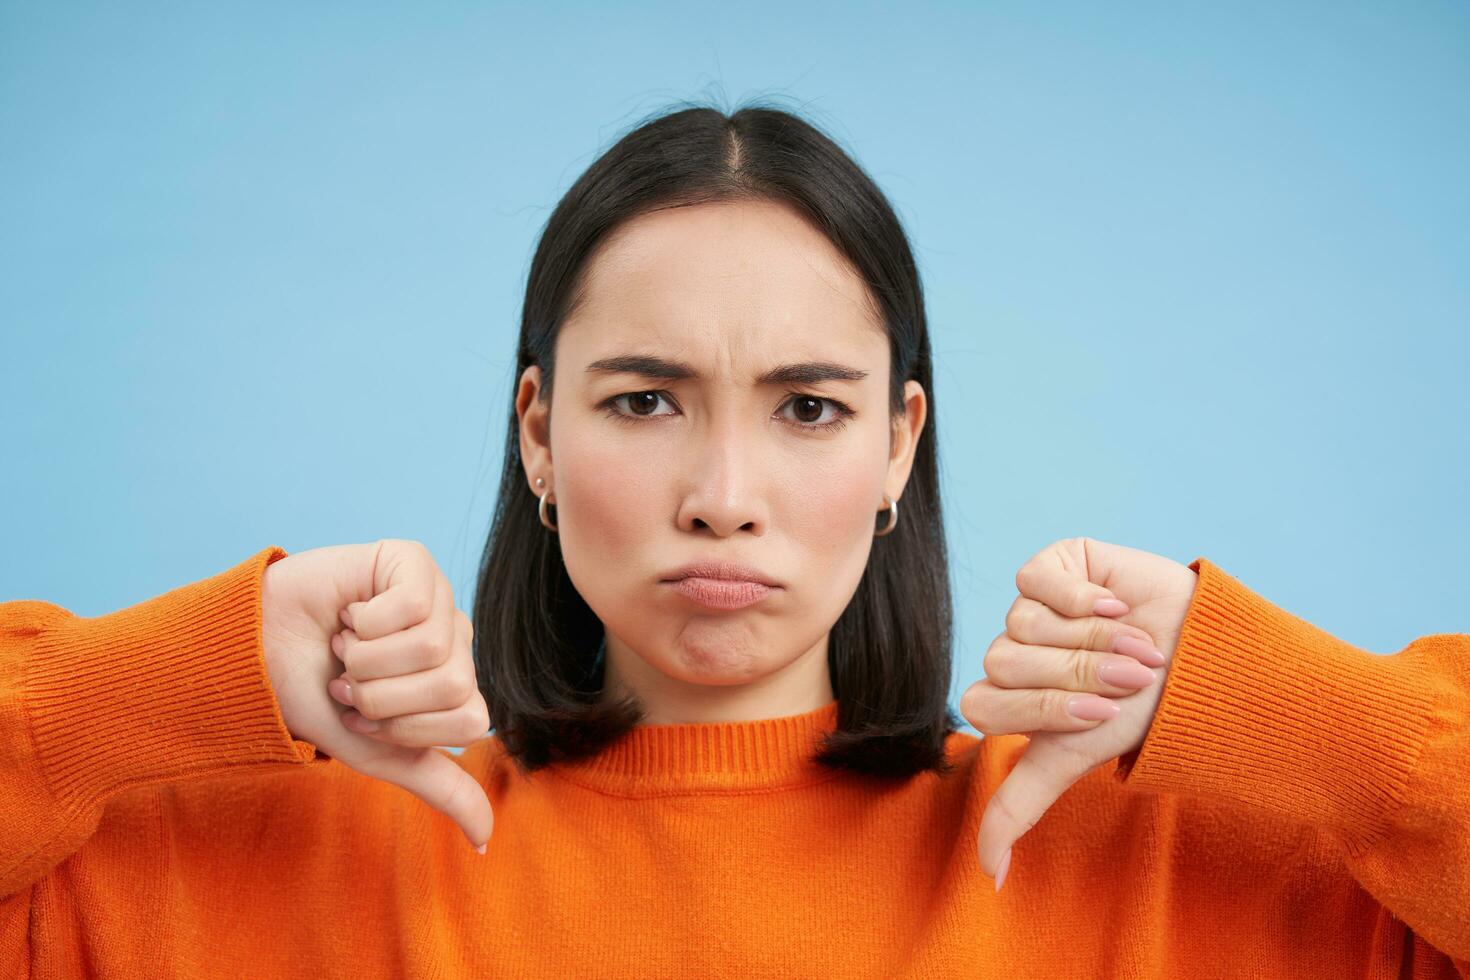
[712,643]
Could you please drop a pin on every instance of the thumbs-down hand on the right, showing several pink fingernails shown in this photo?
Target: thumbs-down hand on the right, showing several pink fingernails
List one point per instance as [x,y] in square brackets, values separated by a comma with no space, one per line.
[1056,638]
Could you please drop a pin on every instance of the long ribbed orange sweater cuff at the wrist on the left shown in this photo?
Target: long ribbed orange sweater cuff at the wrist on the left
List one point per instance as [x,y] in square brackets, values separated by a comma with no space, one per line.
[171,688]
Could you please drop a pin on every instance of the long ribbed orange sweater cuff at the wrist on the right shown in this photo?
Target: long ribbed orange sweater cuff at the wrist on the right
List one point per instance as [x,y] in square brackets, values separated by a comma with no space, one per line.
[1269,712]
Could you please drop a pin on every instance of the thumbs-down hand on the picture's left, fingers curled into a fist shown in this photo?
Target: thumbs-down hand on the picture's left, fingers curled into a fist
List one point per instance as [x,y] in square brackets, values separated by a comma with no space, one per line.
[406,656]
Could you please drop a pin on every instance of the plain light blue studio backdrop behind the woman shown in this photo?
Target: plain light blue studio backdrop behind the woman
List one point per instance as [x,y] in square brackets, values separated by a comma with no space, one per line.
[1197,275]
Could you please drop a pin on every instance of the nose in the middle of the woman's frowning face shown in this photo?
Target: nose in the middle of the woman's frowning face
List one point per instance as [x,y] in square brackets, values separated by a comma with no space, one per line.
[725,477]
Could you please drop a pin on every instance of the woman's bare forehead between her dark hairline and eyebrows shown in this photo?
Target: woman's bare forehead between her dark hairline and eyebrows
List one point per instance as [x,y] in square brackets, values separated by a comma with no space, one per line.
[739,281]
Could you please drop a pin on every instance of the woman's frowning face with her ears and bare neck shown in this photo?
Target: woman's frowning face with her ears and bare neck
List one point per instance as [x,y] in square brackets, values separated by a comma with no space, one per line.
[650,472]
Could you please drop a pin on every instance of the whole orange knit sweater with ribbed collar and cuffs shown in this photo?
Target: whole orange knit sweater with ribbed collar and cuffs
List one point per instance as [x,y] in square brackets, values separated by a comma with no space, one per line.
[1300,809]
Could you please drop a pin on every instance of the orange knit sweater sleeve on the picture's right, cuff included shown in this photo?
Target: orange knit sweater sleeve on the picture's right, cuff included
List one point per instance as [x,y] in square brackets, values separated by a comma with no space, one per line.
[1265,710]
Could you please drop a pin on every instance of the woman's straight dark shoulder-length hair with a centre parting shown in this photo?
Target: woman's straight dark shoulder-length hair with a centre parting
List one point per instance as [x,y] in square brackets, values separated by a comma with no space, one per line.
[539,647]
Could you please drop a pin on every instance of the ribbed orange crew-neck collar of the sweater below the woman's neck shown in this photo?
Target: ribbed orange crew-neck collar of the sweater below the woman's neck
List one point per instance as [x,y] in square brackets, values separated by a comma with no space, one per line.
[655,760]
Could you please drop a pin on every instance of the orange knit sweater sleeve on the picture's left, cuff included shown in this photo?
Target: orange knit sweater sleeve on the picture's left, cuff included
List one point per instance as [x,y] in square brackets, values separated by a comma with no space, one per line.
[174,688]
